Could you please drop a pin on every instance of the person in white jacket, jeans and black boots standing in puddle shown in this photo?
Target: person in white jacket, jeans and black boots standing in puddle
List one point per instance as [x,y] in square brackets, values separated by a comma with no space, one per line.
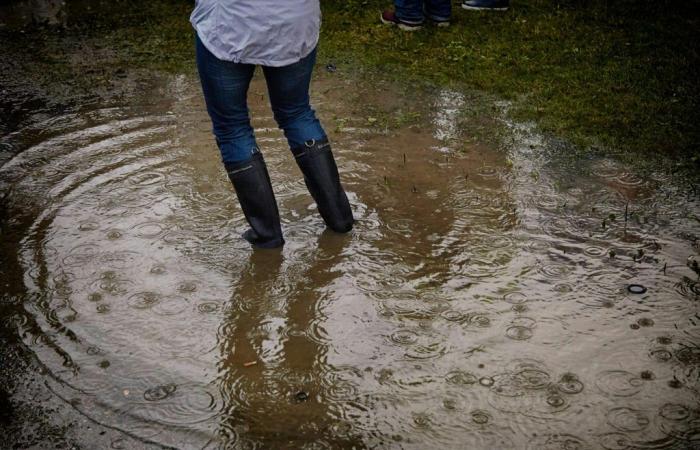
[232,38]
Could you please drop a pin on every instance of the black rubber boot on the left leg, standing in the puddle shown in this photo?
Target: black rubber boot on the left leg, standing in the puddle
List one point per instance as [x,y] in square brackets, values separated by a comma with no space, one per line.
[254,191]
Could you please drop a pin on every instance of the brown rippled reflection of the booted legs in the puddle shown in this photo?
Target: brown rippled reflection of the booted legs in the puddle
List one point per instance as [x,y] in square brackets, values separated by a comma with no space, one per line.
[276,381]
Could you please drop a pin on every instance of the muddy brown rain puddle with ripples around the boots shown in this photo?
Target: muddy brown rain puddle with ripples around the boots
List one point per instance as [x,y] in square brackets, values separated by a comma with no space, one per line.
[482,300]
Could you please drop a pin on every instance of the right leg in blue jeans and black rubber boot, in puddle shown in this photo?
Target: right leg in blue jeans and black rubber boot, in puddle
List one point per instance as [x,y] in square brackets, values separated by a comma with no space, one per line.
[288,88]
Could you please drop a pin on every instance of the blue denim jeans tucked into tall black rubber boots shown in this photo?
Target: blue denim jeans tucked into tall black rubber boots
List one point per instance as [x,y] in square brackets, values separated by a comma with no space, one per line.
[225,86]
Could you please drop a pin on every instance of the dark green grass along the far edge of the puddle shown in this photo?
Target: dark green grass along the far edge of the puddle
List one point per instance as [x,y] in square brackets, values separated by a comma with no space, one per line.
[618,75]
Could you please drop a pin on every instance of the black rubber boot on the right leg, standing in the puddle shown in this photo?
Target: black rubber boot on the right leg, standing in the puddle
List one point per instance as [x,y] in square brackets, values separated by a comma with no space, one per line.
[316,162]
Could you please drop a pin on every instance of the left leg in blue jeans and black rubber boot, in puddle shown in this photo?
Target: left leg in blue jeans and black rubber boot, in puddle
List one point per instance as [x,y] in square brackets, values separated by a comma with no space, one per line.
[225,87]
